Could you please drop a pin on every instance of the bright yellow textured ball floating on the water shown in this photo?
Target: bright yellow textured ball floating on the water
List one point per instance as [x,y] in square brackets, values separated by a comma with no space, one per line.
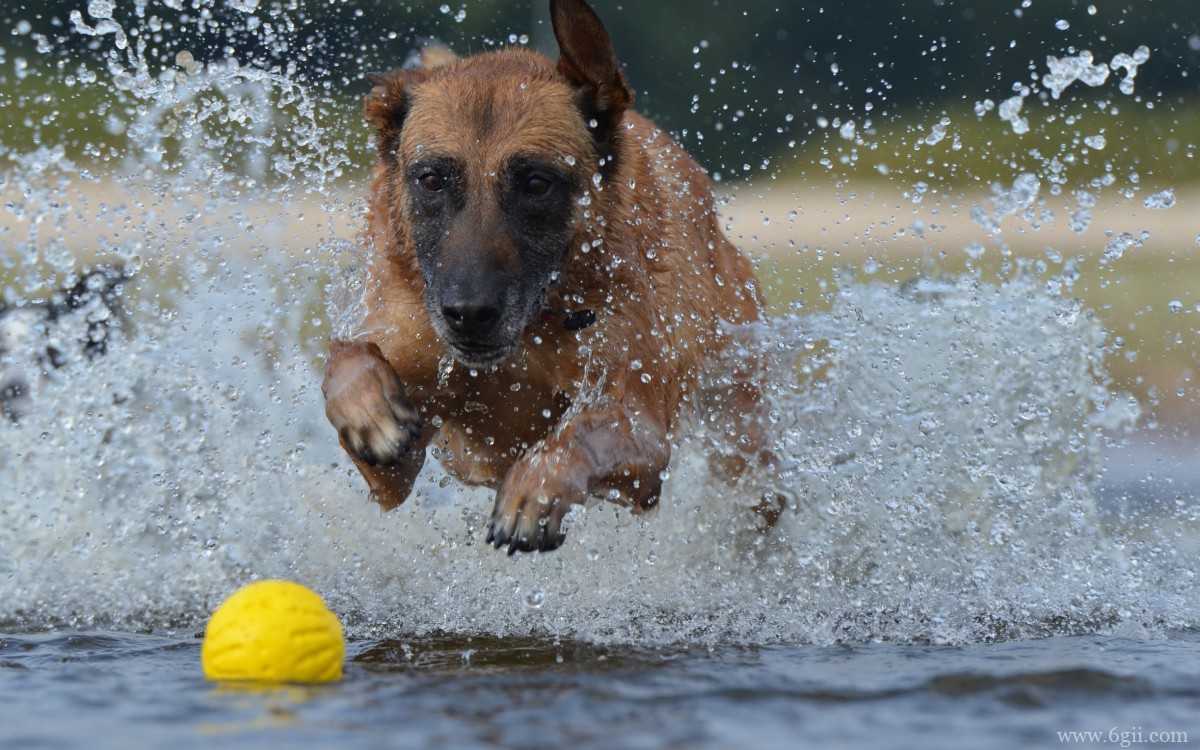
[274,632]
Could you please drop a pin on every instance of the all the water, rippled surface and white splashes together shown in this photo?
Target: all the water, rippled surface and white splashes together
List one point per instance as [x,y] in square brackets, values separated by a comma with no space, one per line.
[981,550]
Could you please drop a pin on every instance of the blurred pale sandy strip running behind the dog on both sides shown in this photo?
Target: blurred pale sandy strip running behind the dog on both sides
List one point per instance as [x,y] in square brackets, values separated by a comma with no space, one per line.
[766,220]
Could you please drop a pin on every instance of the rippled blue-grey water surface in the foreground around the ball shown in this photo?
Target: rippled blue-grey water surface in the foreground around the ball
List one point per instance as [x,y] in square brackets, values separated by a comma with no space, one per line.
[119,691]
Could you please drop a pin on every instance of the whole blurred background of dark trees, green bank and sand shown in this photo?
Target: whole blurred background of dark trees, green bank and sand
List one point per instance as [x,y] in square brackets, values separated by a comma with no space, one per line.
[853,141]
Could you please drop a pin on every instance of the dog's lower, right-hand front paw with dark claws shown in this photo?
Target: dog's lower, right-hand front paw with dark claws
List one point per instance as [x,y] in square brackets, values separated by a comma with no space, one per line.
[529,515]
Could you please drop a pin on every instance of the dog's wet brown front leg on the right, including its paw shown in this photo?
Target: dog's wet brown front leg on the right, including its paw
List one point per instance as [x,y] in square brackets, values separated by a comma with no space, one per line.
[620,454]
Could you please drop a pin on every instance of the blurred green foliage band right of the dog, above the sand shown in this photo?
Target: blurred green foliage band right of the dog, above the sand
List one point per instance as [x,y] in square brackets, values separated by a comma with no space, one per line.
[1069,143]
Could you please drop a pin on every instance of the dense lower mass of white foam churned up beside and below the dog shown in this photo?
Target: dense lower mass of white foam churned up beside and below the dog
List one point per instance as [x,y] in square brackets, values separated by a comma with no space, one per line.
[940,471]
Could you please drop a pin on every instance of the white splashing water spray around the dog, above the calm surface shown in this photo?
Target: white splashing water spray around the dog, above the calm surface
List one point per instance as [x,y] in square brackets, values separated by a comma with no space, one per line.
[940,442]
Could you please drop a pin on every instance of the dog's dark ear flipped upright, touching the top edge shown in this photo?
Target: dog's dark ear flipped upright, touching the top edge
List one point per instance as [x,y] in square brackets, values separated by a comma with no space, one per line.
[590,62]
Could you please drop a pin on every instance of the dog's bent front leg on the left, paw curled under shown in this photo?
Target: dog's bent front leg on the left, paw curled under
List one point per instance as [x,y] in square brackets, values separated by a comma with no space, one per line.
[377,425]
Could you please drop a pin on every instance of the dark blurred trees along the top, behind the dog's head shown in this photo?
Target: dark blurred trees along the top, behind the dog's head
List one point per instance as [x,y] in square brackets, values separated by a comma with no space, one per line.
[737,81]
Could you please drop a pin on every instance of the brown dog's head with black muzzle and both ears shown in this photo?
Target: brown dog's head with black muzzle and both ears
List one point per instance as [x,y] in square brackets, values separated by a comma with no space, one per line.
[485,164]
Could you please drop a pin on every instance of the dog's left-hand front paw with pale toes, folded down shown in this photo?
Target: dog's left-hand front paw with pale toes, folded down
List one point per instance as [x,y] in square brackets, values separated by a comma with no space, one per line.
[367,404]
